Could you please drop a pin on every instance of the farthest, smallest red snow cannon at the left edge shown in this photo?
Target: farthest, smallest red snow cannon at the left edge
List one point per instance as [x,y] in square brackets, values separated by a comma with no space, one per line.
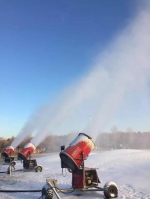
[7,154]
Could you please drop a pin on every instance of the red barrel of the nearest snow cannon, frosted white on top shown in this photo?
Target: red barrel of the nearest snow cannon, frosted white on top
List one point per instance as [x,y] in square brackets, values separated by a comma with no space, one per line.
[78,150]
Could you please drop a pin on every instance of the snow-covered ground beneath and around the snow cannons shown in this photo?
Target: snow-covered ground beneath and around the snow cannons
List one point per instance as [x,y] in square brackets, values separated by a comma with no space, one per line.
[129,169]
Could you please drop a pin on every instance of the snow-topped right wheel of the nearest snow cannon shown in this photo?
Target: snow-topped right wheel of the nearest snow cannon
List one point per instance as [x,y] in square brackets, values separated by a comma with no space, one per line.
[110,190]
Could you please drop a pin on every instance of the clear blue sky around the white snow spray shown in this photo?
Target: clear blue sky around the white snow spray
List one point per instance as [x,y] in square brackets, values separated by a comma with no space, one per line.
[45,46]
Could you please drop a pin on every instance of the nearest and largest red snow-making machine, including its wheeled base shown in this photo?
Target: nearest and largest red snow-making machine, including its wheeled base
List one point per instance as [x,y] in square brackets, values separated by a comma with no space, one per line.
[83,178]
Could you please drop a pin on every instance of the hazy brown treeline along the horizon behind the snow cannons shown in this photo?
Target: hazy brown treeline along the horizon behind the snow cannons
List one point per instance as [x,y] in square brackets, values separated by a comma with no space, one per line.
[114,140]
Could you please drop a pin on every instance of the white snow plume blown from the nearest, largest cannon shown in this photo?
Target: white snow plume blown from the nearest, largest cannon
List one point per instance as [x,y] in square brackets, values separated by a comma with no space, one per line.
[128,64]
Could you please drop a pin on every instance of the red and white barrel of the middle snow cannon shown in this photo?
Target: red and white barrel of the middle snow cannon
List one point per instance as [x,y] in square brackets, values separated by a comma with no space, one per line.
[27,150]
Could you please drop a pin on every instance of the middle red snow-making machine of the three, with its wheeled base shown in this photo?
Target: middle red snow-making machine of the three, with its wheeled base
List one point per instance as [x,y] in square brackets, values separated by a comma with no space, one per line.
[25,156]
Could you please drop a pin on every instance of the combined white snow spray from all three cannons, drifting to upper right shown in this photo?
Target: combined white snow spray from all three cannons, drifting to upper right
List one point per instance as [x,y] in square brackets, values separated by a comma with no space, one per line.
[123,68]
